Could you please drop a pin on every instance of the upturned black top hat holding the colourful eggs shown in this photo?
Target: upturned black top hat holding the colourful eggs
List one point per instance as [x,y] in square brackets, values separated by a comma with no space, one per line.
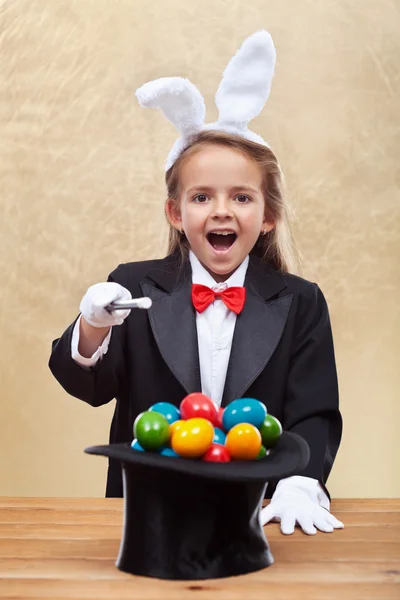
[188,519]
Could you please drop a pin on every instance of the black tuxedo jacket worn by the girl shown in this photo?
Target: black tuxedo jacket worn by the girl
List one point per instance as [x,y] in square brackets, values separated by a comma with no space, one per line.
[282,354]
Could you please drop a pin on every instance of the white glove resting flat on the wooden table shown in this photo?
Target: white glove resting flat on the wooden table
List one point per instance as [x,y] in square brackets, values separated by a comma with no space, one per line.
[296,501]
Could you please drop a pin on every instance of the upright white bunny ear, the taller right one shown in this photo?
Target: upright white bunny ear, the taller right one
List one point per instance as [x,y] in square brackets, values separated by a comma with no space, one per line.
[246,82]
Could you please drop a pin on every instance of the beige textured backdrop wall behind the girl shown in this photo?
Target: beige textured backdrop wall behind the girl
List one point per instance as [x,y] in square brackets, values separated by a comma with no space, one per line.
[81,185]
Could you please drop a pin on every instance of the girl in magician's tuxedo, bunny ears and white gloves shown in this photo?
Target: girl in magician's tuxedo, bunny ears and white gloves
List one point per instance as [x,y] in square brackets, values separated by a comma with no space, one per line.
[271,340]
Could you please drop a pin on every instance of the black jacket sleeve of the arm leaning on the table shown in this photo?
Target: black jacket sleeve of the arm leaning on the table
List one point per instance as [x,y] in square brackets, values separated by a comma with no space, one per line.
[312,399]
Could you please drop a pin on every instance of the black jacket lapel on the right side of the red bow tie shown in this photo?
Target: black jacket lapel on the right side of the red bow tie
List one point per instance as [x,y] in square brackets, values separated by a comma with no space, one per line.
[258,328]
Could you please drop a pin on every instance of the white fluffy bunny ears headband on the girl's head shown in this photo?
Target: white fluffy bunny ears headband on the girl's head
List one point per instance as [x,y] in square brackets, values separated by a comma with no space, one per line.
[242,93]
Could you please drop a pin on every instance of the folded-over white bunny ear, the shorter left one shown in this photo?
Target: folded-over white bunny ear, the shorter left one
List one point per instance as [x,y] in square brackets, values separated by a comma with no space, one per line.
[179,100]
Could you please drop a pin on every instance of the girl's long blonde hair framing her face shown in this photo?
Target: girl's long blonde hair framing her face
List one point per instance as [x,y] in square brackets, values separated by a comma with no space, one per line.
[277,247]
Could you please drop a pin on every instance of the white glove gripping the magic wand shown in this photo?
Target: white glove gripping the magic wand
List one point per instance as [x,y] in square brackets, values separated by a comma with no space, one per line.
[97,298]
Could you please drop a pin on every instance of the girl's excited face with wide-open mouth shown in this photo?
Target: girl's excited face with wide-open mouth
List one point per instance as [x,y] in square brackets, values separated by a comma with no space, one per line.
[221,208]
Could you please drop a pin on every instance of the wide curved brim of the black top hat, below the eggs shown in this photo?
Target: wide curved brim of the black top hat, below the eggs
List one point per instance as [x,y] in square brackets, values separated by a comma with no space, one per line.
[290,455]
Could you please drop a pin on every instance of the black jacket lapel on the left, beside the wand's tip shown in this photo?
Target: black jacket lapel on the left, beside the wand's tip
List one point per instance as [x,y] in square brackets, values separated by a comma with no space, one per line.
[173,320]
